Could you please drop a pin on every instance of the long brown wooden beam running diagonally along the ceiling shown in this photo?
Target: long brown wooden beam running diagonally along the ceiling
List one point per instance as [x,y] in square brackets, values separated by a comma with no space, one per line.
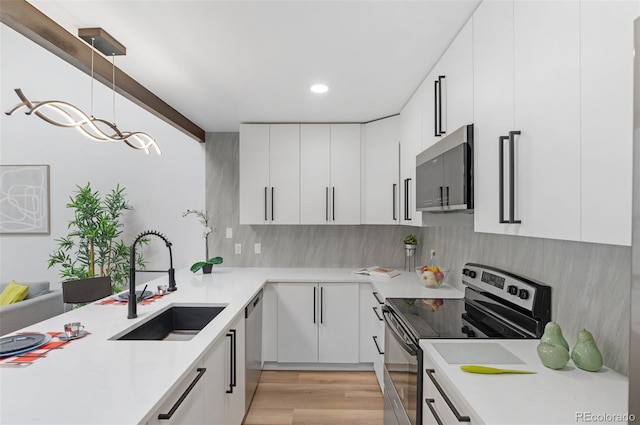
[39,28]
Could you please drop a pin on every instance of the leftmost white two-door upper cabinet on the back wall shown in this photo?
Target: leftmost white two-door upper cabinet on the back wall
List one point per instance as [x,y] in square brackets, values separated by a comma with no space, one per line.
[269,174]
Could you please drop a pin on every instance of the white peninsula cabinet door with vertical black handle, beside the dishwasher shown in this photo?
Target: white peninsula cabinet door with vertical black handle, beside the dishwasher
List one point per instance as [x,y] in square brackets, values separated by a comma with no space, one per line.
[224,390]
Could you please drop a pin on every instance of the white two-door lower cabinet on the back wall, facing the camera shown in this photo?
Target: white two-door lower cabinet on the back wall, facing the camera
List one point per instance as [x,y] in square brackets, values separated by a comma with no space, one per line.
[318,322]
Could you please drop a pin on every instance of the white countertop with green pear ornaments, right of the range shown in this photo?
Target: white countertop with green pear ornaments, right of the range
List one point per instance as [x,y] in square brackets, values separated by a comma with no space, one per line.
[558,397]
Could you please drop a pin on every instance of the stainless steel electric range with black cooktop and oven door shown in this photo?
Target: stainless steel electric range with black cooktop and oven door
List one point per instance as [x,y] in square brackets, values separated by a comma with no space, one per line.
[496,304]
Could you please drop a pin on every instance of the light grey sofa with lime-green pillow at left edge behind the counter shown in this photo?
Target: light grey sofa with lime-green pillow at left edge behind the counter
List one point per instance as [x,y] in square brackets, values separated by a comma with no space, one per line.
[40,304]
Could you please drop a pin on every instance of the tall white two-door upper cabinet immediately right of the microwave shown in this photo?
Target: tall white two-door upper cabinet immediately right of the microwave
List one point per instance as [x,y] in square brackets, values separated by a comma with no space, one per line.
[526,79]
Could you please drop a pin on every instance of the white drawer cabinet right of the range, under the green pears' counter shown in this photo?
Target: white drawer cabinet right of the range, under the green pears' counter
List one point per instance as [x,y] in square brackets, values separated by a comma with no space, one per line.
[442,403]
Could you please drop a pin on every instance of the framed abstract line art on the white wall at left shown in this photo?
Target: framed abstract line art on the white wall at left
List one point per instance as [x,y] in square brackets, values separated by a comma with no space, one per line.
[24,199]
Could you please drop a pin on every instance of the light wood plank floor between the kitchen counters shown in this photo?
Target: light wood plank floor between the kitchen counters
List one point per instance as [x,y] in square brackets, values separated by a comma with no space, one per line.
[316,398]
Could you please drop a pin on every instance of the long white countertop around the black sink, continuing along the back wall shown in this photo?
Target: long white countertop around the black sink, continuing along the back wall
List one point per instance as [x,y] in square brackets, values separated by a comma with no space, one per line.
[96,380]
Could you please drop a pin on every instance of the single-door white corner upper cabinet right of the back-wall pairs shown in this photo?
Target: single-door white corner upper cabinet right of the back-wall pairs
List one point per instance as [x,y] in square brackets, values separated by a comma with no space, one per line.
[382,171]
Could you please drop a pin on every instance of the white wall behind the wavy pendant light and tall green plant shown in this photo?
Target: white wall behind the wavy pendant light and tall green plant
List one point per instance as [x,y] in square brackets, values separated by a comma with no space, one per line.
[160,188]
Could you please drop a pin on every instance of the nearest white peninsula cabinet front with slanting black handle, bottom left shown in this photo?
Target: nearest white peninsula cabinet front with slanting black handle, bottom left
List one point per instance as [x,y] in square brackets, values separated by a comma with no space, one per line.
[186,404]
